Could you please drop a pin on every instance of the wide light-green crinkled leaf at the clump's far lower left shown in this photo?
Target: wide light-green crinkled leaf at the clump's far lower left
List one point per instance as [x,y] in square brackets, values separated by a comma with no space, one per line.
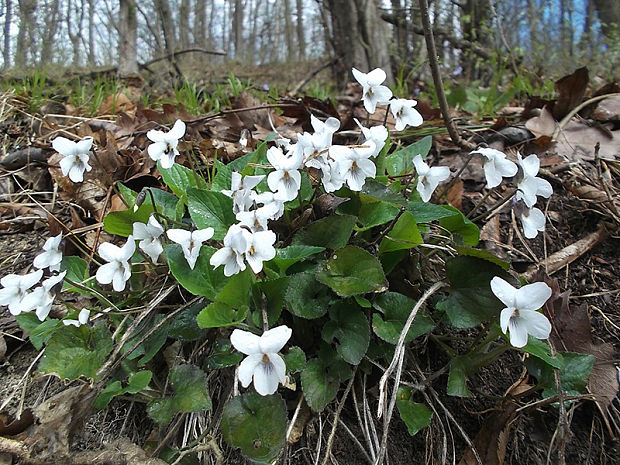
[75,352]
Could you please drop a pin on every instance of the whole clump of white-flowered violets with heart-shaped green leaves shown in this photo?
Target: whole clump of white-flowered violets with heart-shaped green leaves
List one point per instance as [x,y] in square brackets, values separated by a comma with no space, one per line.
[293,256]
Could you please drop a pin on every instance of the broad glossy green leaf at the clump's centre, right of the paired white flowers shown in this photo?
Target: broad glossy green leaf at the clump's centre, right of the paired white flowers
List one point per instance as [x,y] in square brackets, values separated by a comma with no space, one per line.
[352,271]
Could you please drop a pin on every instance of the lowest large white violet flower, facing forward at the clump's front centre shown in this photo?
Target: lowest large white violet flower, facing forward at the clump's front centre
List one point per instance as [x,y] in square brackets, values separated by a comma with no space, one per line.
[262,364]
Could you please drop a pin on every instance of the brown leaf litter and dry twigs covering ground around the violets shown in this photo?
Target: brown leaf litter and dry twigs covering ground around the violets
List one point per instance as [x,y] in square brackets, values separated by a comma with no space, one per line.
[582,227]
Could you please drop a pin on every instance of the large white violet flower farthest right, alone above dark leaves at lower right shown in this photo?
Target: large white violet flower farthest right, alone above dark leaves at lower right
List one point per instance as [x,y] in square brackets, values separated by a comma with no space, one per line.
[520,316]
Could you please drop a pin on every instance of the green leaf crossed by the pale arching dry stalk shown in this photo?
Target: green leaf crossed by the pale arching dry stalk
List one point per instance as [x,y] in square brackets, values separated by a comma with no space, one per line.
[396,309]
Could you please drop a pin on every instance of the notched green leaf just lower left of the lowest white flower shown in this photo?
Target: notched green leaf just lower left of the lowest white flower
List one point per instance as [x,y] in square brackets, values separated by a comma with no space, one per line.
[190,394]
